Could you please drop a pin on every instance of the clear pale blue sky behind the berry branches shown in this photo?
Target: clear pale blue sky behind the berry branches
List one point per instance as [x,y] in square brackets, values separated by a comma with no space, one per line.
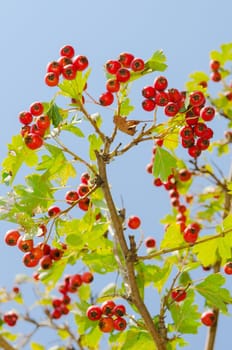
[32,33]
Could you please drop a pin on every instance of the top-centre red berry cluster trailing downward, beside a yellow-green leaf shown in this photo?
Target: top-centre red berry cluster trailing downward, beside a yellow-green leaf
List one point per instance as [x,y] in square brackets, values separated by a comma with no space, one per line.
[120,70]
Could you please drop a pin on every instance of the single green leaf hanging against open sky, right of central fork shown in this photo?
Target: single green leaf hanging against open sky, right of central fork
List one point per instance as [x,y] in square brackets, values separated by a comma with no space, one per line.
[164,163]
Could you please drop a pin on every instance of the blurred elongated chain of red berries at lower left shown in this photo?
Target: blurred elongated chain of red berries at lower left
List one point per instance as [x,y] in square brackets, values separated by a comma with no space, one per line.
[70,285]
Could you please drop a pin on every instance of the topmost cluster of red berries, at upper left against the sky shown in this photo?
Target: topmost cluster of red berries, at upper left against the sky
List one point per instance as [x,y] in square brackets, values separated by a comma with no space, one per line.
[66,66]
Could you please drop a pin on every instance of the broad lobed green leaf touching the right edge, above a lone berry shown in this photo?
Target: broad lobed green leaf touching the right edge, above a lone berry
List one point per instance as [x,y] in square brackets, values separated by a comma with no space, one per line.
[211,290]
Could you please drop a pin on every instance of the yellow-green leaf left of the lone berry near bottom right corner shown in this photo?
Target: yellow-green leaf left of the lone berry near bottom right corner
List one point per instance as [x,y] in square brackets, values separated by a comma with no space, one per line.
[185,315]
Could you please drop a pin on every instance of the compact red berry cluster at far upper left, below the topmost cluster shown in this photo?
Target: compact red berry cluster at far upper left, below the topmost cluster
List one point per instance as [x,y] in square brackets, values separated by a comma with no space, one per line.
[35,125]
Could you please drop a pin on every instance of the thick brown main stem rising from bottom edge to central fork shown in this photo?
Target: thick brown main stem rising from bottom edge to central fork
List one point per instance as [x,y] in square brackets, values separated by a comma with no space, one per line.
[129,257]
